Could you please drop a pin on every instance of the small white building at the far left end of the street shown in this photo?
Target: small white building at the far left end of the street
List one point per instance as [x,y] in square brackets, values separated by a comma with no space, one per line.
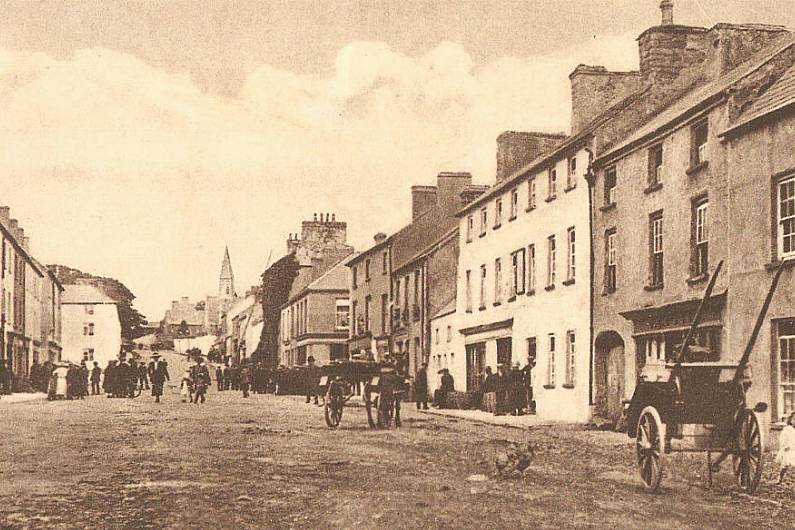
[91,330]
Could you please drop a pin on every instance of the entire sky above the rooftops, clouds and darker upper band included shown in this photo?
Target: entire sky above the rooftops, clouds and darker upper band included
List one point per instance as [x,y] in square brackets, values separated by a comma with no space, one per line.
[138,139]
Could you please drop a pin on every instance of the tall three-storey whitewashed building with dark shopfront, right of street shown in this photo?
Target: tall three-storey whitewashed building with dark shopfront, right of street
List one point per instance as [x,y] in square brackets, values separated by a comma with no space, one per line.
[524,280]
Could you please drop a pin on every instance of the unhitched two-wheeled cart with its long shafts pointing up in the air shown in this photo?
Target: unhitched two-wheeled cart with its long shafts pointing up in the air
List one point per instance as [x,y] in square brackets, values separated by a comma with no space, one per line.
[709,394]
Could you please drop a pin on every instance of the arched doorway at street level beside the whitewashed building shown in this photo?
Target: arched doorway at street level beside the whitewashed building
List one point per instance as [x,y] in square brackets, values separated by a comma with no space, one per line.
[609,375]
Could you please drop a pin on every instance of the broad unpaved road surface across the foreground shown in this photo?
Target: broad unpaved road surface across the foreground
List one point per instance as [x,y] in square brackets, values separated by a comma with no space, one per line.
[270,462]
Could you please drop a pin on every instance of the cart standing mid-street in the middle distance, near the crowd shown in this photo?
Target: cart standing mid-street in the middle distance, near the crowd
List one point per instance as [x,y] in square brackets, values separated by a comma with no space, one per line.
[381,386]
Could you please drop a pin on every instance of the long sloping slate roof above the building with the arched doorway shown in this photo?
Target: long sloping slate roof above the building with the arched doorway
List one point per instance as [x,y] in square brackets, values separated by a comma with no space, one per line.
[699,97]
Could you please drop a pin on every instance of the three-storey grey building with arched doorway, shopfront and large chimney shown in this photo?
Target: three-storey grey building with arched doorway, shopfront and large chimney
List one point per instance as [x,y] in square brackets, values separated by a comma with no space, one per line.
[659,193]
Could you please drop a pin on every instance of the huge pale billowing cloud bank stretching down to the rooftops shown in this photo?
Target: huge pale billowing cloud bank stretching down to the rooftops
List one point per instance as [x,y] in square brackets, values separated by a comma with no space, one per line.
[124,169]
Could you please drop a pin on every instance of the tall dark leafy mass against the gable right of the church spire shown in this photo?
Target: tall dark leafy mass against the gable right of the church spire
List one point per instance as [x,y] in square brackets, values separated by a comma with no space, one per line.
[277,281]
